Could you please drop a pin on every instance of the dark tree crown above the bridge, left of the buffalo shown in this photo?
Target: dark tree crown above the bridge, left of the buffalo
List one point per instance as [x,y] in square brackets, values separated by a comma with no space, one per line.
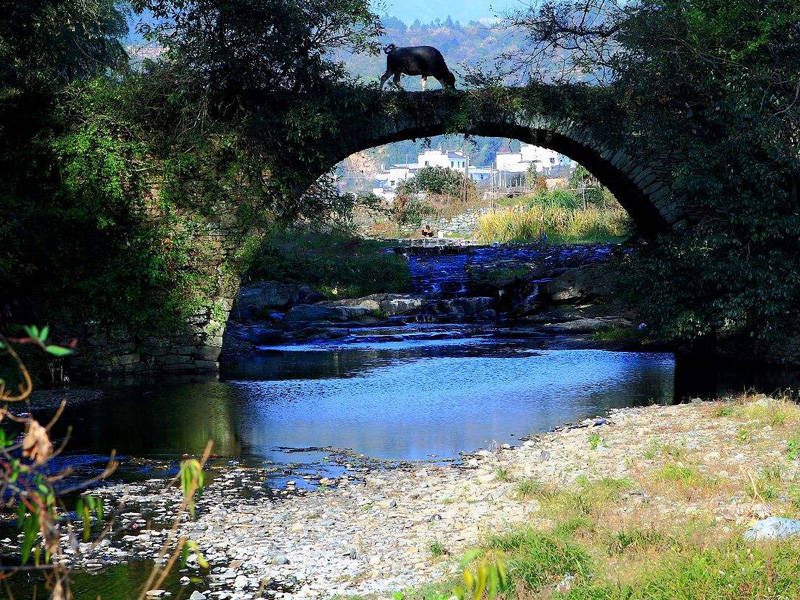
[241,47]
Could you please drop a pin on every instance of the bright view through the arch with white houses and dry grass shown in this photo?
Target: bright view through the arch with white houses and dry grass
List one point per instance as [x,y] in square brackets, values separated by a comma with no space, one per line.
[485,174]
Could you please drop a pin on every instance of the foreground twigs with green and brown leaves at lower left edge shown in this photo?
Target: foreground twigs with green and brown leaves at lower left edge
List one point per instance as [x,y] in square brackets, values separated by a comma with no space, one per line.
[50,509]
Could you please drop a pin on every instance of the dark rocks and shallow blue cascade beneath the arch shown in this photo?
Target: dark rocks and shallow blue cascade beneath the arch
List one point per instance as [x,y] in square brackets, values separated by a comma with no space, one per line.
[485,291]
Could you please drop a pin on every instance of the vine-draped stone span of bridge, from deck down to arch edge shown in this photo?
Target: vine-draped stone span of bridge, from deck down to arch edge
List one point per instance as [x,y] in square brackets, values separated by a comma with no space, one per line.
[582,124]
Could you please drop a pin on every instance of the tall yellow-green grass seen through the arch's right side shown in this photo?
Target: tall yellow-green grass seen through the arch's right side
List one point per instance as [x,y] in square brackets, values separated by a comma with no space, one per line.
[558,223]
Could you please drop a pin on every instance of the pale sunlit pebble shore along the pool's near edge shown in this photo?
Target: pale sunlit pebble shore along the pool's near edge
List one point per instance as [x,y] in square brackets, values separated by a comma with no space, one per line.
[376,530]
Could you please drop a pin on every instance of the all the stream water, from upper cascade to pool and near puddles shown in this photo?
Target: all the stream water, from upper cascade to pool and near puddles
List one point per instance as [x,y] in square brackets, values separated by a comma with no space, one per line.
[425,393]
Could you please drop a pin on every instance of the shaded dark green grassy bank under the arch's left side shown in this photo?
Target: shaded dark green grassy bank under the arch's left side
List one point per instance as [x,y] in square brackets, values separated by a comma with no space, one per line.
[336,264]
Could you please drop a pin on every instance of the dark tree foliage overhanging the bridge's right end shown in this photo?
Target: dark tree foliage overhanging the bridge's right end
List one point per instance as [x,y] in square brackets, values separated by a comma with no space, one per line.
[715,85]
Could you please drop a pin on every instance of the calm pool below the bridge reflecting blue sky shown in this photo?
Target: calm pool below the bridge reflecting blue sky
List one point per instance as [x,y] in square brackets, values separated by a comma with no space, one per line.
[402,404]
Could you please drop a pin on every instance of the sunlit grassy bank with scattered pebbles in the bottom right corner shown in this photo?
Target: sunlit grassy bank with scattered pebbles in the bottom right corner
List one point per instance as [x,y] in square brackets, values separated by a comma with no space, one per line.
[657,509]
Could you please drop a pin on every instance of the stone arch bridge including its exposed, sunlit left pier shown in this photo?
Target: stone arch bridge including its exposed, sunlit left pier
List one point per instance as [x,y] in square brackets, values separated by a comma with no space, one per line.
[581,123]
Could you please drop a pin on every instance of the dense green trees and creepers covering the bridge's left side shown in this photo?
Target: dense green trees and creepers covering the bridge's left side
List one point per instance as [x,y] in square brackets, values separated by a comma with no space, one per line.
[113,177]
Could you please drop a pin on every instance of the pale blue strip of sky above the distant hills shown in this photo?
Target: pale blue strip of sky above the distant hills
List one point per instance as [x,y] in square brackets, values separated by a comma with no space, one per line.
[429,10]
